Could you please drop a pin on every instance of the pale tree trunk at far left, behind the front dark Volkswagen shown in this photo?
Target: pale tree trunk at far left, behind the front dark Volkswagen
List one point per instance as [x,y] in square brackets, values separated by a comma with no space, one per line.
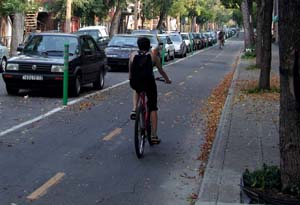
[17,33]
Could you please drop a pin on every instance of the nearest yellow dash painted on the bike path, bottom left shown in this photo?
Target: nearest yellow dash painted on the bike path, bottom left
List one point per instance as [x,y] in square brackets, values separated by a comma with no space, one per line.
[44,188]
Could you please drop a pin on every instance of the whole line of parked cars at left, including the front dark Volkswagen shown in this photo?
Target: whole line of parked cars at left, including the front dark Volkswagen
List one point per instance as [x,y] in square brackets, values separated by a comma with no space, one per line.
[40,63]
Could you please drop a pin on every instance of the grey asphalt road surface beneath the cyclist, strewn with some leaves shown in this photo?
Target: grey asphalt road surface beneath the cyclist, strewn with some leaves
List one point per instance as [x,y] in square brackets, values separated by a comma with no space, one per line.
[84,153]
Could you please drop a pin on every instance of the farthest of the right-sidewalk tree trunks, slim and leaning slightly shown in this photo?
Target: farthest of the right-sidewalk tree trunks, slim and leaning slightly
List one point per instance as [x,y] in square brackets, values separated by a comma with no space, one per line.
[246,9]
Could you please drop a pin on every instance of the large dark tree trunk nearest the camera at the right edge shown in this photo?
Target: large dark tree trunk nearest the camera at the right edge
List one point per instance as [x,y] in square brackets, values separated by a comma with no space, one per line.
[289,128]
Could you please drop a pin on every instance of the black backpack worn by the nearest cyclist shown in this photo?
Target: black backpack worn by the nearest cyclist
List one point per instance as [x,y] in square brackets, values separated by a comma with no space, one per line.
[141,71]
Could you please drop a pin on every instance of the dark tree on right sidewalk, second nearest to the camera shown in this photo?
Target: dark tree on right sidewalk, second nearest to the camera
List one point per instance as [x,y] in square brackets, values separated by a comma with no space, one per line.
[264,41]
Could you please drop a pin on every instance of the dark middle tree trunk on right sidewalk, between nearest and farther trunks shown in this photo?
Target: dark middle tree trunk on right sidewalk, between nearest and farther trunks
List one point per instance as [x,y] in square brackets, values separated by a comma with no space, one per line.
[265,43]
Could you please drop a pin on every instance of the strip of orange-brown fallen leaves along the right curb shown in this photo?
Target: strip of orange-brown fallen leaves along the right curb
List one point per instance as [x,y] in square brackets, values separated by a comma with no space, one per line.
[212,110]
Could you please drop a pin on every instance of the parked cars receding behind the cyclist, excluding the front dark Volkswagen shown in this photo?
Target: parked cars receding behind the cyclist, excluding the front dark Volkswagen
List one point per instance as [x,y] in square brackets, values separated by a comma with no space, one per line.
[175,44]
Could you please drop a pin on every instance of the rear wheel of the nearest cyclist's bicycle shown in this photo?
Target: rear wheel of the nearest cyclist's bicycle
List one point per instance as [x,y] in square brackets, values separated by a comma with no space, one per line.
[139,133]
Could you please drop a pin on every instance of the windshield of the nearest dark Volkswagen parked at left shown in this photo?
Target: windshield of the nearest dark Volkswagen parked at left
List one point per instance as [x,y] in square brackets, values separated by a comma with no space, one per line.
[50,45]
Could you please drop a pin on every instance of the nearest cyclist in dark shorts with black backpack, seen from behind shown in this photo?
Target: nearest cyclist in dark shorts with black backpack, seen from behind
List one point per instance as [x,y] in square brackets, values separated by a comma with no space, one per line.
[148,83]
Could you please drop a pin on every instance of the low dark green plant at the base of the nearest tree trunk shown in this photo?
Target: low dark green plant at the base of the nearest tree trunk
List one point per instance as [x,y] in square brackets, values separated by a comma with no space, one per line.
[266,178]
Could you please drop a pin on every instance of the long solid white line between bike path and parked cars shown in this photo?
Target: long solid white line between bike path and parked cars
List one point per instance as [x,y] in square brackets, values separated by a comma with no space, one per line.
[55,110]
